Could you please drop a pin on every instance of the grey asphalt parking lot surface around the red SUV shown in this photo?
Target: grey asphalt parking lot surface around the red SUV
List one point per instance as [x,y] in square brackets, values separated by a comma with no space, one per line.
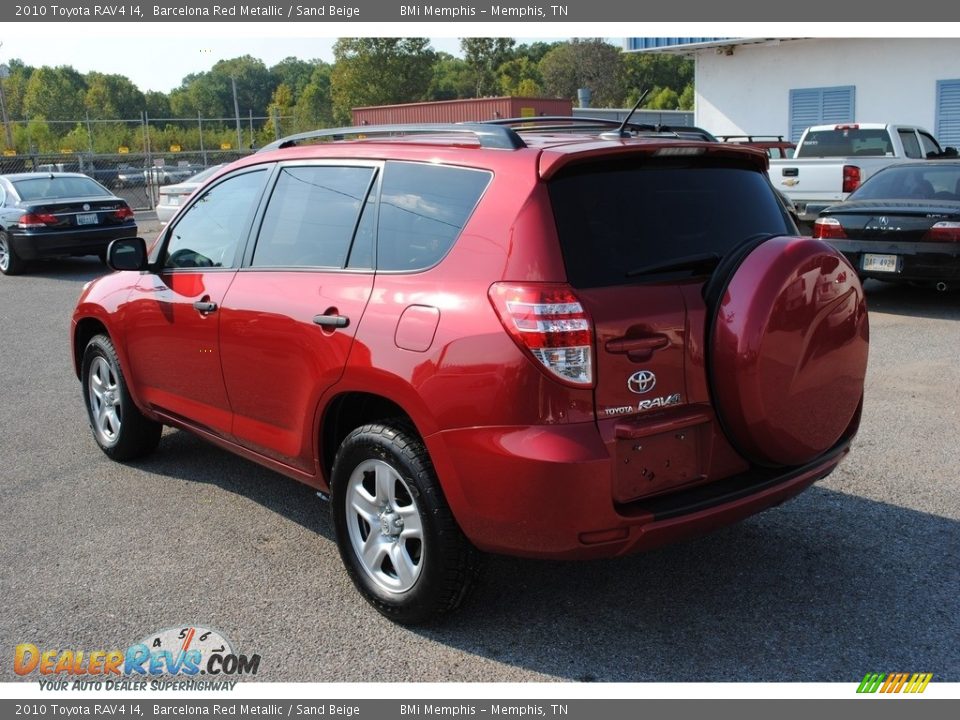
[858,574]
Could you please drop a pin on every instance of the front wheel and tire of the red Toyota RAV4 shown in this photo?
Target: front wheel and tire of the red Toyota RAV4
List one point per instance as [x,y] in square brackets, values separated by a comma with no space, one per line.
[120,429]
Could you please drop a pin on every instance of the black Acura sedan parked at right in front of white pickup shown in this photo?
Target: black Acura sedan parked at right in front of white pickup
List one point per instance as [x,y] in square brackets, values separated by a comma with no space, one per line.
[903,224]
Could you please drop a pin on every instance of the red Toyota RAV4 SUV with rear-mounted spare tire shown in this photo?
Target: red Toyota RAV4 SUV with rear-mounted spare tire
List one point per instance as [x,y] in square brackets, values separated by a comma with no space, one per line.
[541,342]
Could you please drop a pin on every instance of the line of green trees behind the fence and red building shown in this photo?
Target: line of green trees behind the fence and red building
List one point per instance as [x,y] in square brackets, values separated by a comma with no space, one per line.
[55,107]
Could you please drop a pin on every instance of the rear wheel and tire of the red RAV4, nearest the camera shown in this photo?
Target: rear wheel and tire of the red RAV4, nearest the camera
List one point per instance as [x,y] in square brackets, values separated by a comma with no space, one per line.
[397,537]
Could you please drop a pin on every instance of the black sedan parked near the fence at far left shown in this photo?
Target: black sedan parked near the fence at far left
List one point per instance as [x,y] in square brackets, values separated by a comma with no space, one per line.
[45,215]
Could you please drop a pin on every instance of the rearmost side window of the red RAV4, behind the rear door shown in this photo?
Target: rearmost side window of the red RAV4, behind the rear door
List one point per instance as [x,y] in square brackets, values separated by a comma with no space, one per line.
[423,208]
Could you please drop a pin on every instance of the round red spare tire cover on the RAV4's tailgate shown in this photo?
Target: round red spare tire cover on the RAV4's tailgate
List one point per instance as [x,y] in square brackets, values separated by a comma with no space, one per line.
[788,351]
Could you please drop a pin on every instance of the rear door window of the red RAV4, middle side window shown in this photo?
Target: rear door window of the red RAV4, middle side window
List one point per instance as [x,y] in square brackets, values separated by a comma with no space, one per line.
[312,216]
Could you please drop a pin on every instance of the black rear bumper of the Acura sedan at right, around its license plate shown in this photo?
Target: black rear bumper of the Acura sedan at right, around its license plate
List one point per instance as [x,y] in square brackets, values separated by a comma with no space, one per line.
[921,261]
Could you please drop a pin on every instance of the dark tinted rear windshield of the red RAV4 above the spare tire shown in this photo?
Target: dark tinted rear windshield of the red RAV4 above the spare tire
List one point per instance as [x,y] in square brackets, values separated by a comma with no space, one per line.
[615,219]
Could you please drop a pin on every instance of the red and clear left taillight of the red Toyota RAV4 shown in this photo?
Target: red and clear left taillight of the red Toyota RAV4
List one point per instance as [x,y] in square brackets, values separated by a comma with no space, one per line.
[549,323]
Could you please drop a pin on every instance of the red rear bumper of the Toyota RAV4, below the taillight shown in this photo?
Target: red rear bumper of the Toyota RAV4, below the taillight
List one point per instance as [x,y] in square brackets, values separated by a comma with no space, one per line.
[546,492]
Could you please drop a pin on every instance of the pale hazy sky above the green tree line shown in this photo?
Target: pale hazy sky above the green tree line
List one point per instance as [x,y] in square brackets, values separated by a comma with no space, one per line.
[162,61]
